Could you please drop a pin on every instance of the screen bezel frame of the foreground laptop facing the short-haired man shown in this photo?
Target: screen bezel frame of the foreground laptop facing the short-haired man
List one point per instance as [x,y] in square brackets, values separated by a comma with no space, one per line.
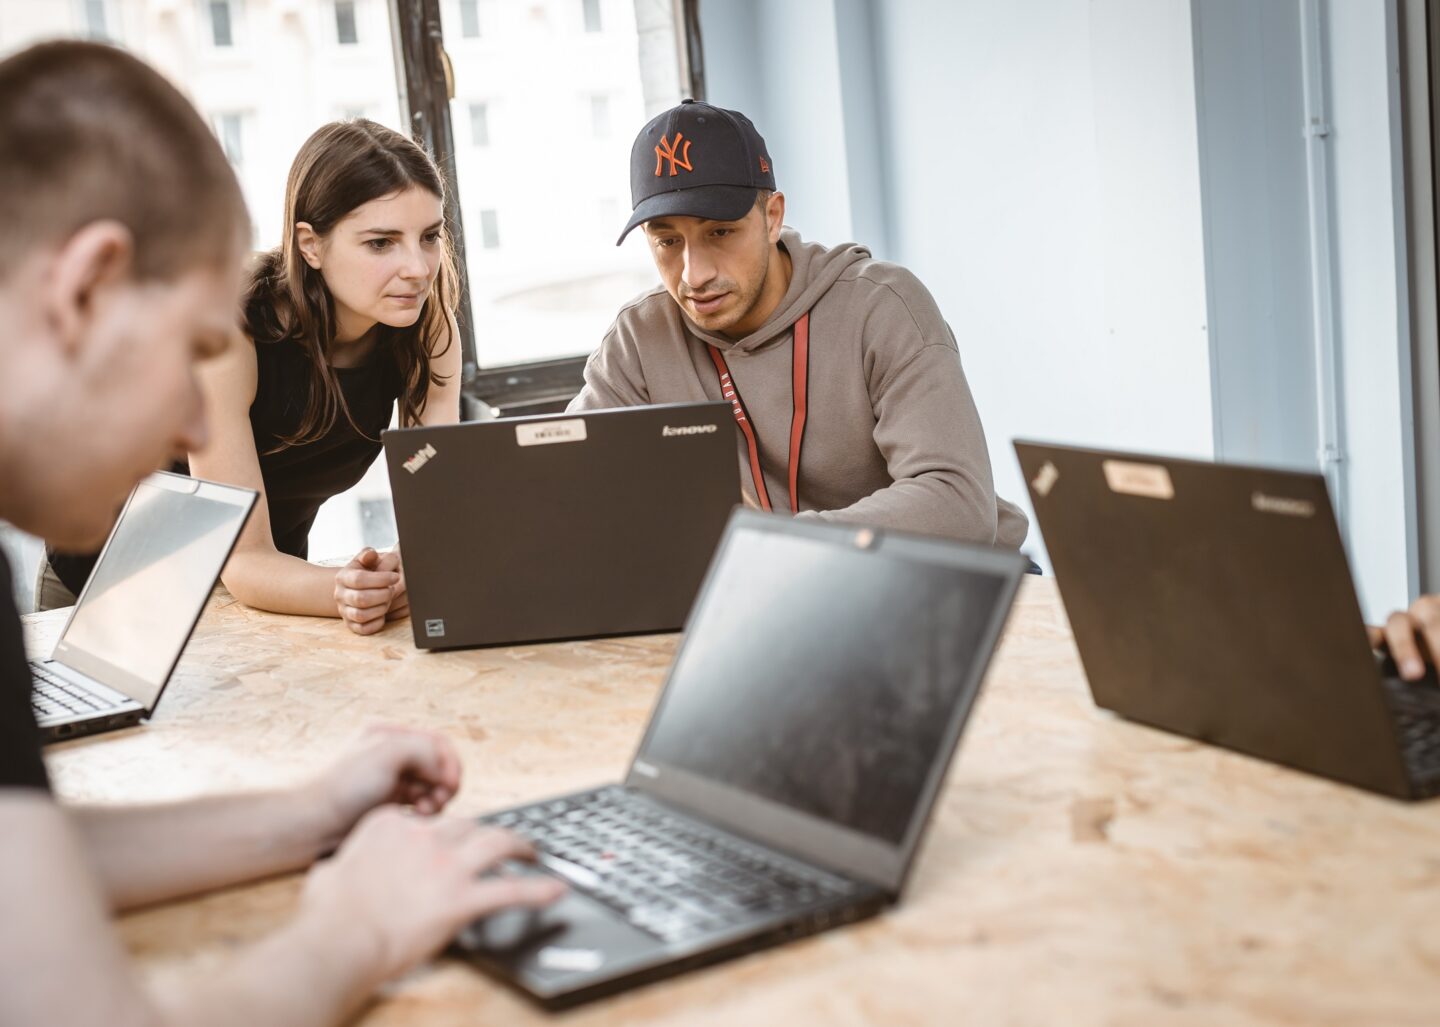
[787,829]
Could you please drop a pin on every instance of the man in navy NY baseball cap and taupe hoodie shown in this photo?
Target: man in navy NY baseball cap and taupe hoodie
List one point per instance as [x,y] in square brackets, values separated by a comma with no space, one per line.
[846,382]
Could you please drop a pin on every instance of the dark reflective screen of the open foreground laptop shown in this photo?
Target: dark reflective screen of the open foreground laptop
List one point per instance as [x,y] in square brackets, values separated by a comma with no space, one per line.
[826,678]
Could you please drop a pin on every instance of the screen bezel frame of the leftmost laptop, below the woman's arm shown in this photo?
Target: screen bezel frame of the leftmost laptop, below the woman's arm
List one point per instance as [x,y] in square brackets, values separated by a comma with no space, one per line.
[148,694]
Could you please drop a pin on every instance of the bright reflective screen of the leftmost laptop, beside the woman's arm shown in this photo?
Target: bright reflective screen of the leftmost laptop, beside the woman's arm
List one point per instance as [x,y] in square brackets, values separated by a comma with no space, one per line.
[162,561]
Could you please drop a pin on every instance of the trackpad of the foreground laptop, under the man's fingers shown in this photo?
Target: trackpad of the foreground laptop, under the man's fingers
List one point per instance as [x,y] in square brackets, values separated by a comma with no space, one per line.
[577,937]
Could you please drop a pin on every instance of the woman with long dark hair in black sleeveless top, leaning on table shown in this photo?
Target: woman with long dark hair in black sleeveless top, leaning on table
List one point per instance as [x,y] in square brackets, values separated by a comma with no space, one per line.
[349,318]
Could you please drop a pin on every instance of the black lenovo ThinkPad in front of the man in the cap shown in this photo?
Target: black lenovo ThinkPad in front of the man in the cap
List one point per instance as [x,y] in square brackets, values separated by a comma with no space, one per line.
[561,526]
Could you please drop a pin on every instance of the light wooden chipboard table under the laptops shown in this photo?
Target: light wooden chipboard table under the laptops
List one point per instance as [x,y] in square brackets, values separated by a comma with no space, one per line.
[1079,869]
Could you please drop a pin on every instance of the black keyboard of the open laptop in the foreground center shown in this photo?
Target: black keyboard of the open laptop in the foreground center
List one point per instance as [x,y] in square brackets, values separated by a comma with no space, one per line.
[667,875]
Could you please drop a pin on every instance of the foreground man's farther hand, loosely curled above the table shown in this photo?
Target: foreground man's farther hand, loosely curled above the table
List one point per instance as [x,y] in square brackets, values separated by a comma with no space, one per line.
[388,766]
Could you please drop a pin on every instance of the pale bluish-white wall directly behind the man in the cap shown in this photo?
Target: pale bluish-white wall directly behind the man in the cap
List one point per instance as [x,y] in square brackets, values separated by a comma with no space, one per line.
[1043,181]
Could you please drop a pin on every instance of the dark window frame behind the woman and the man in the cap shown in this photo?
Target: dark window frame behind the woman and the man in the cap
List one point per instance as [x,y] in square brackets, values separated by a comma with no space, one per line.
[427,89]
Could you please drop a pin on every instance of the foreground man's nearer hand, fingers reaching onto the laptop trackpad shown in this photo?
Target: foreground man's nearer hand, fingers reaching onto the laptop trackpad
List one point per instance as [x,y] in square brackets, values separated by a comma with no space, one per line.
[402,887]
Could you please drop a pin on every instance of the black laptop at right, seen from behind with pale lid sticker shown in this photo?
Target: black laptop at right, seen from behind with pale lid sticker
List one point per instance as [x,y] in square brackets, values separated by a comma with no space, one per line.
[1216,601]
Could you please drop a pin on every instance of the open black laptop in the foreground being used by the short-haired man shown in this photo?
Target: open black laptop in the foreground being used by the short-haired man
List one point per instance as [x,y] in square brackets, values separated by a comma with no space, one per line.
[788,770]
